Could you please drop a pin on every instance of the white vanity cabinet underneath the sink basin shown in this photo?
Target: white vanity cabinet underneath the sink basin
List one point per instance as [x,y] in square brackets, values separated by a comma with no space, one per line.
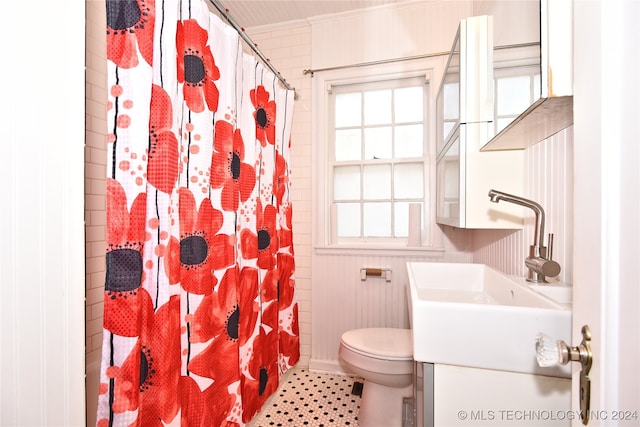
[447,395]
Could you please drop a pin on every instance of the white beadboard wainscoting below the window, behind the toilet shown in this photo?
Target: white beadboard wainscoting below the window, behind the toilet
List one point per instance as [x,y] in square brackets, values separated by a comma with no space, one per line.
[342,301]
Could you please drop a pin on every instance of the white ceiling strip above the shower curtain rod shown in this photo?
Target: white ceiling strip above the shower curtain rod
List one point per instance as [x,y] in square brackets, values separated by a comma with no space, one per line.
[255,13]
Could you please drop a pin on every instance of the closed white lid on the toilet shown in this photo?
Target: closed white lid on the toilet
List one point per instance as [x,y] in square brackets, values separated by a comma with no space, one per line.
[380,342]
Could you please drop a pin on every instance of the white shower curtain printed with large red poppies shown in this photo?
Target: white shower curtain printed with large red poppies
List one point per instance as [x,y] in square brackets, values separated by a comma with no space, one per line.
[200,311]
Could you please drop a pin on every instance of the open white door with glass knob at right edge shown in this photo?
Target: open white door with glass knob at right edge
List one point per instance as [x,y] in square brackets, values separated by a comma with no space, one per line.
[606,205]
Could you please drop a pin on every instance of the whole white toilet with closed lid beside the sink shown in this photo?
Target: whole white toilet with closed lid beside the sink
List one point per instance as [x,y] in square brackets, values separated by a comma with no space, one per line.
[383,357]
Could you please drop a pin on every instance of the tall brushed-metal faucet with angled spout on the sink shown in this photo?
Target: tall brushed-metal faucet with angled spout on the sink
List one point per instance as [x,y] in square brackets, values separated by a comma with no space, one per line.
[539,264]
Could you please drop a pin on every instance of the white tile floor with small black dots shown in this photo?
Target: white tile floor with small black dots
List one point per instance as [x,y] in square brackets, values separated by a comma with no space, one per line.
[311,399]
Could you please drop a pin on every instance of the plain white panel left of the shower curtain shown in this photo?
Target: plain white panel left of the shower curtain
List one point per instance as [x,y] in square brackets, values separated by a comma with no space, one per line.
[41,220]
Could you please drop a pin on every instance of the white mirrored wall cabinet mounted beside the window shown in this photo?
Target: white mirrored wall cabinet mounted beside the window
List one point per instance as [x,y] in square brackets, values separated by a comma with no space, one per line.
[465,116]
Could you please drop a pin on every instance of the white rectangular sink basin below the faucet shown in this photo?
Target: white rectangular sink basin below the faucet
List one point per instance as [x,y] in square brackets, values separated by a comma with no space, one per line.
[472,315]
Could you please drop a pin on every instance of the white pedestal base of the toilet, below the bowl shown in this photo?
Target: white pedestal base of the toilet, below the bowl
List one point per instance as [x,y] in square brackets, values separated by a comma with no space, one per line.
[381,406]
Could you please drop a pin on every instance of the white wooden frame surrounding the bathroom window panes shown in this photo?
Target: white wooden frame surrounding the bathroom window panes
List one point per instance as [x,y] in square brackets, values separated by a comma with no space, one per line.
[431,70]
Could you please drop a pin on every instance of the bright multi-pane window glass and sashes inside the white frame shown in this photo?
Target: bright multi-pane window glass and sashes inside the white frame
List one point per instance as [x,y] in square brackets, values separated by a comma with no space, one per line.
[377,158]
